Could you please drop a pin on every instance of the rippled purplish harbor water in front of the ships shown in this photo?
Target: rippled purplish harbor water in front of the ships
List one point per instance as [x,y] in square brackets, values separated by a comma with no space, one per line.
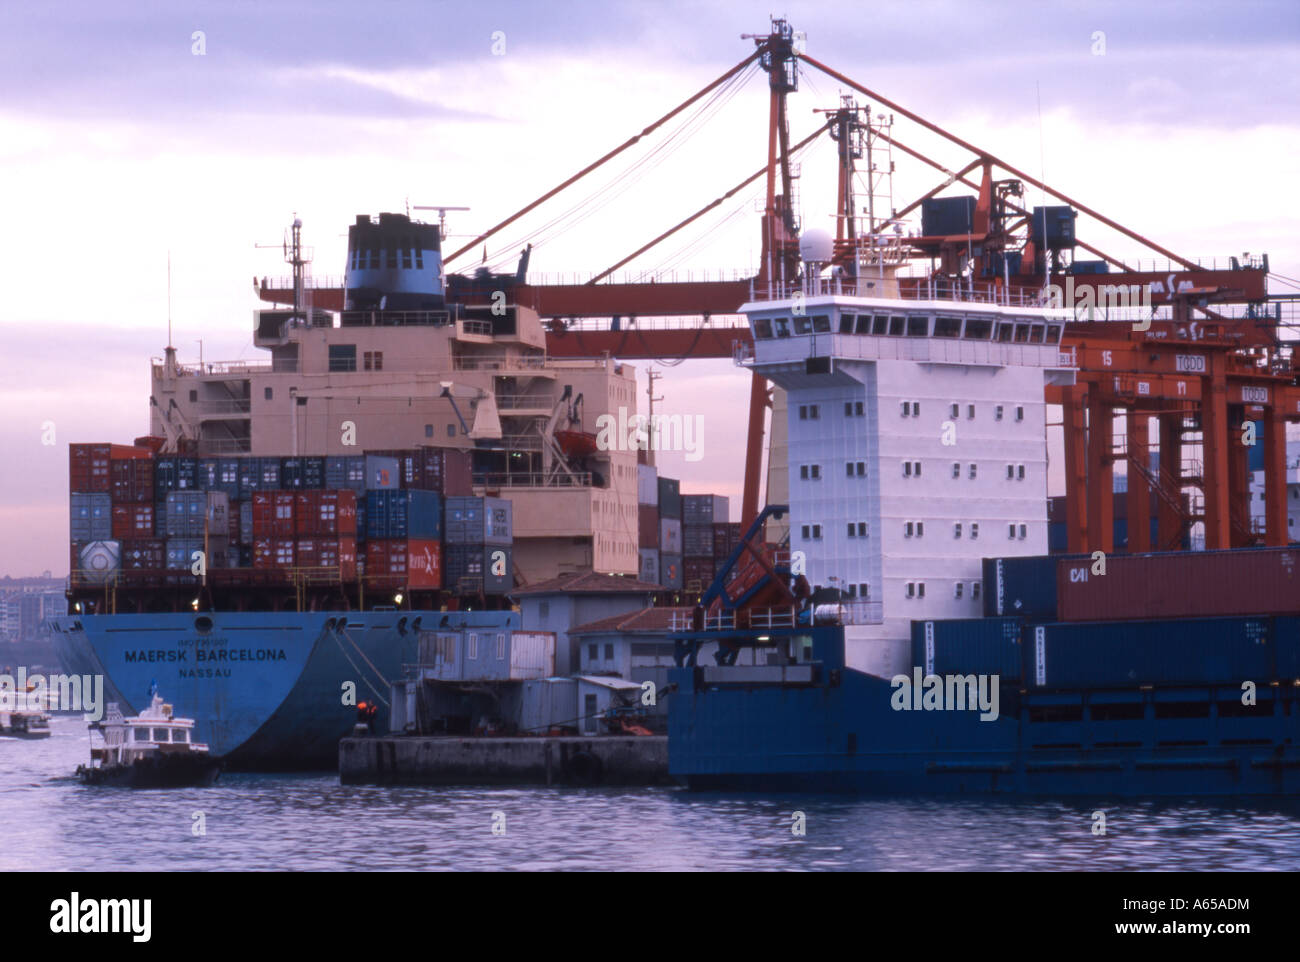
[313,824]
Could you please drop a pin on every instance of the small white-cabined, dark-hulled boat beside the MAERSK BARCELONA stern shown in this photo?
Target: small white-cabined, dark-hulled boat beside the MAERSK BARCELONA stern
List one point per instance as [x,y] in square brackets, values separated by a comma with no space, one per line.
[151,751]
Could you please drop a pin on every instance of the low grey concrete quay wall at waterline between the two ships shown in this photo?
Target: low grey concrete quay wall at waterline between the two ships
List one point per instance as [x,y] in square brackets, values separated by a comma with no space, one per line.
[606,760]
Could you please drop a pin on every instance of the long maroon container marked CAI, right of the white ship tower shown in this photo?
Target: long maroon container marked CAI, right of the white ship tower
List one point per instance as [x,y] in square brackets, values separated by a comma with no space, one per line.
[1185,584]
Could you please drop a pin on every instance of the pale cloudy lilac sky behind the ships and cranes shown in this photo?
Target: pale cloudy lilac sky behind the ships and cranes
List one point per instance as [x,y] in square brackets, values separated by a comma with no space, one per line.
[135,132]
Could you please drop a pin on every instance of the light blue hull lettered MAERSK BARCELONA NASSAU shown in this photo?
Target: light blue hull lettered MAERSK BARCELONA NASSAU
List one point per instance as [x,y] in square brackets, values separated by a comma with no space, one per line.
[266,690]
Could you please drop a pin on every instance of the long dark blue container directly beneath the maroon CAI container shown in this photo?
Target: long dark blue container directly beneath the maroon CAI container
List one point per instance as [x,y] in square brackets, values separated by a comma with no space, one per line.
[1129,655]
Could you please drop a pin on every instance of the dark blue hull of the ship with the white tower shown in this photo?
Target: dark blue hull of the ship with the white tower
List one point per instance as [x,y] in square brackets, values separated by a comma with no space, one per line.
[839,731]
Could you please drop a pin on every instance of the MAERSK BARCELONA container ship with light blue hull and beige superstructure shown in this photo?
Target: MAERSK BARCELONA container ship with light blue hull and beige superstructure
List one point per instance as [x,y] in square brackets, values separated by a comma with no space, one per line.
[291,532]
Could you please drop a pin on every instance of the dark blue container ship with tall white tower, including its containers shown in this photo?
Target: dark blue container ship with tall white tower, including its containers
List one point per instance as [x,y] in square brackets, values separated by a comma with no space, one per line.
[912,634]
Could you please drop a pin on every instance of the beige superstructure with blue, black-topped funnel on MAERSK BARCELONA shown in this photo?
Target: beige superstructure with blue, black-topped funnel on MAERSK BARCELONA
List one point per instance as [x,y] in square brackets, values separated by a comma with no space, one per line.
[406,365]
